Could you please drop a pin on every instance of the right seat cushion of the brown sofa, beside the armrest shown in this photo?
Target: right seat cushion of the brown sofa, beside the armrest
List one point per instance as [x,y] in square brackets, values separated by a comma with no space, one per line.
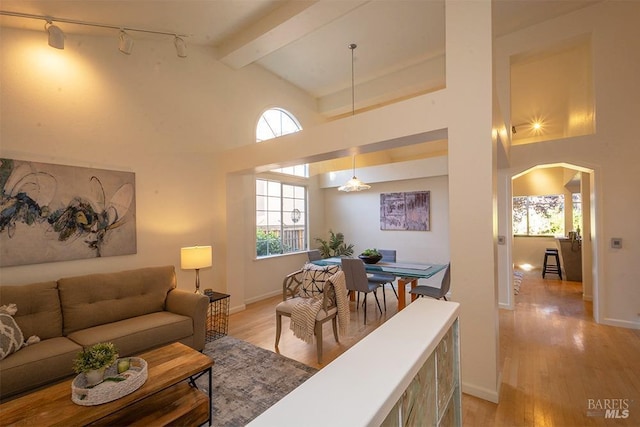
[137,334]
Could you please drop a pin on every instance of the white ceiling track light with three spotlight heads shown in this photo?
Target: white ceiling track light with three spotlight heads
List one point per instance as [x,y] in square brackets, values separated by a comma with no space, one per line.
[56,36]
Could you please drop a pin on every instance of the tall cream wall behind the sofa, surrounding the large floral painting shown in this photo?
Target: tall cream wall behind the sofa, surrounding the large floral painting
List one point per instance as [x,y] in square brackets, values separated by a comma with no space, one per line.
[162,117]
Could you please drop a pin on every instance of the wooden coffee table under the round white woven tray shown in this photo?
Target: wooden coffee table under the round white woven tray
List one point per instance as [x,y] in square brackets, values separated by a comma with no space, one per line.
[165,398]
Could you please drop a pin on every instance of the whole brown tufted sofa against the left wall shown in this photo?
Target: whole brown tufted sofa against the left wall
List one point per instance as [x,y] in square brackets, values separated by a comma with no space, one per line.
[136,310]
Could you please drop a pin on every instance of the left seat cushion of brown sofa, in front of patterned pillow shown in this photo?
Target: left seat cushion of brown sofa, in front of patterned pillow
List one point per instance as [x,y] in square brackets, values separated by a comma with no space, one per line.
[37,365]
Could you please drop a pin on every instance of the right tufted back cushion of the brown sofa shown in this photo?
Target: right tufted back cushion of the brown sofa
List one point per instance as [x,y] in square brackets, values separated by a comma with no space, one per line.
[98,299]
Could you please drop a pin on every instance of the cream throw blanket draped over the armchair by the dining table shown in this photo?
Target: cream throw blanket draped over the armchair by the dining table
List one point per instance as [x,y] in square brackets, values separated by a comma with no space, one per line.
[304,313]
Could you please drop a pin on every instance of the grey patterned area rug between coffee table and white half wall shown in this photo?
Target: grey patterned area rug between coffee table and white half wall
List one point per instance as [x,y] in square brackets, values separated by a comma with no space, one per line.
[247,380]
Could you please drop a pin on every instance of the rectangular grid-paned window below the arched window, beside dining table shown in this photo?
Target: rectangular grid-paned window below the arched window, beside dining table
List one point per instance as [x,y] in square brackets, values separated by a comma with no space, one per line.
[281,218]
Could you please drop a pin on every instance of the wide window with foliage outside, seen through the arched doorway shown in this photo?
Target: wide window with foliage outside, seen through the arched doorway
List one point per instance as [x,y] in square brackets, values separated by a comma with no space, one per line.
[538,215]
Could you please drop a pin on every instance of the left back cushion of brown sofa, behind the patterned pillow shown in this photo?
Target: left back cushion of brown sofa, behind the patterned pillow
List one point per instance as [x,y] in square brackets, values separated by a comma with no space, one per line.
[39,310]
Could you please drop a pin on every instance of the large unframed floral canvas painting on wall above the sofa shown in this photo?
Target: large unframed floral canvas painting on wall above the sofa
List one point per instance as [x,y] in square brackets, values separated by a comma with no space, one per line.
[52,213]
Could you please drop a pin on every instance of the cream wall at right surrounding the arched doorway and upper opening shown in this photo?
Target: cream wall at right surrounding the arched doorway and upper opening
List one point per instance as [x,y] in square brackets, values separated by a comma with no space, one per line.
[612,152]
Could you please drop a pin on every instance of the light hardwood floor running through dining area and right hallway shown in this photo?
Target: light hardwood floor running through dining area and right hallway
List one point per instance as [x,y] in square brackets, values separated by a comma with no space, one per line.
[554,357]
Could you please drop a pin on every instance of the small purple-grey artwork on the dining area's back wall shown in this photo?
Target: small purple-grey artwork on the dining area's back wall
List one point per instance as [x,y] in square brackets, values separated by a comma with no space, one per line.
[405,211]
